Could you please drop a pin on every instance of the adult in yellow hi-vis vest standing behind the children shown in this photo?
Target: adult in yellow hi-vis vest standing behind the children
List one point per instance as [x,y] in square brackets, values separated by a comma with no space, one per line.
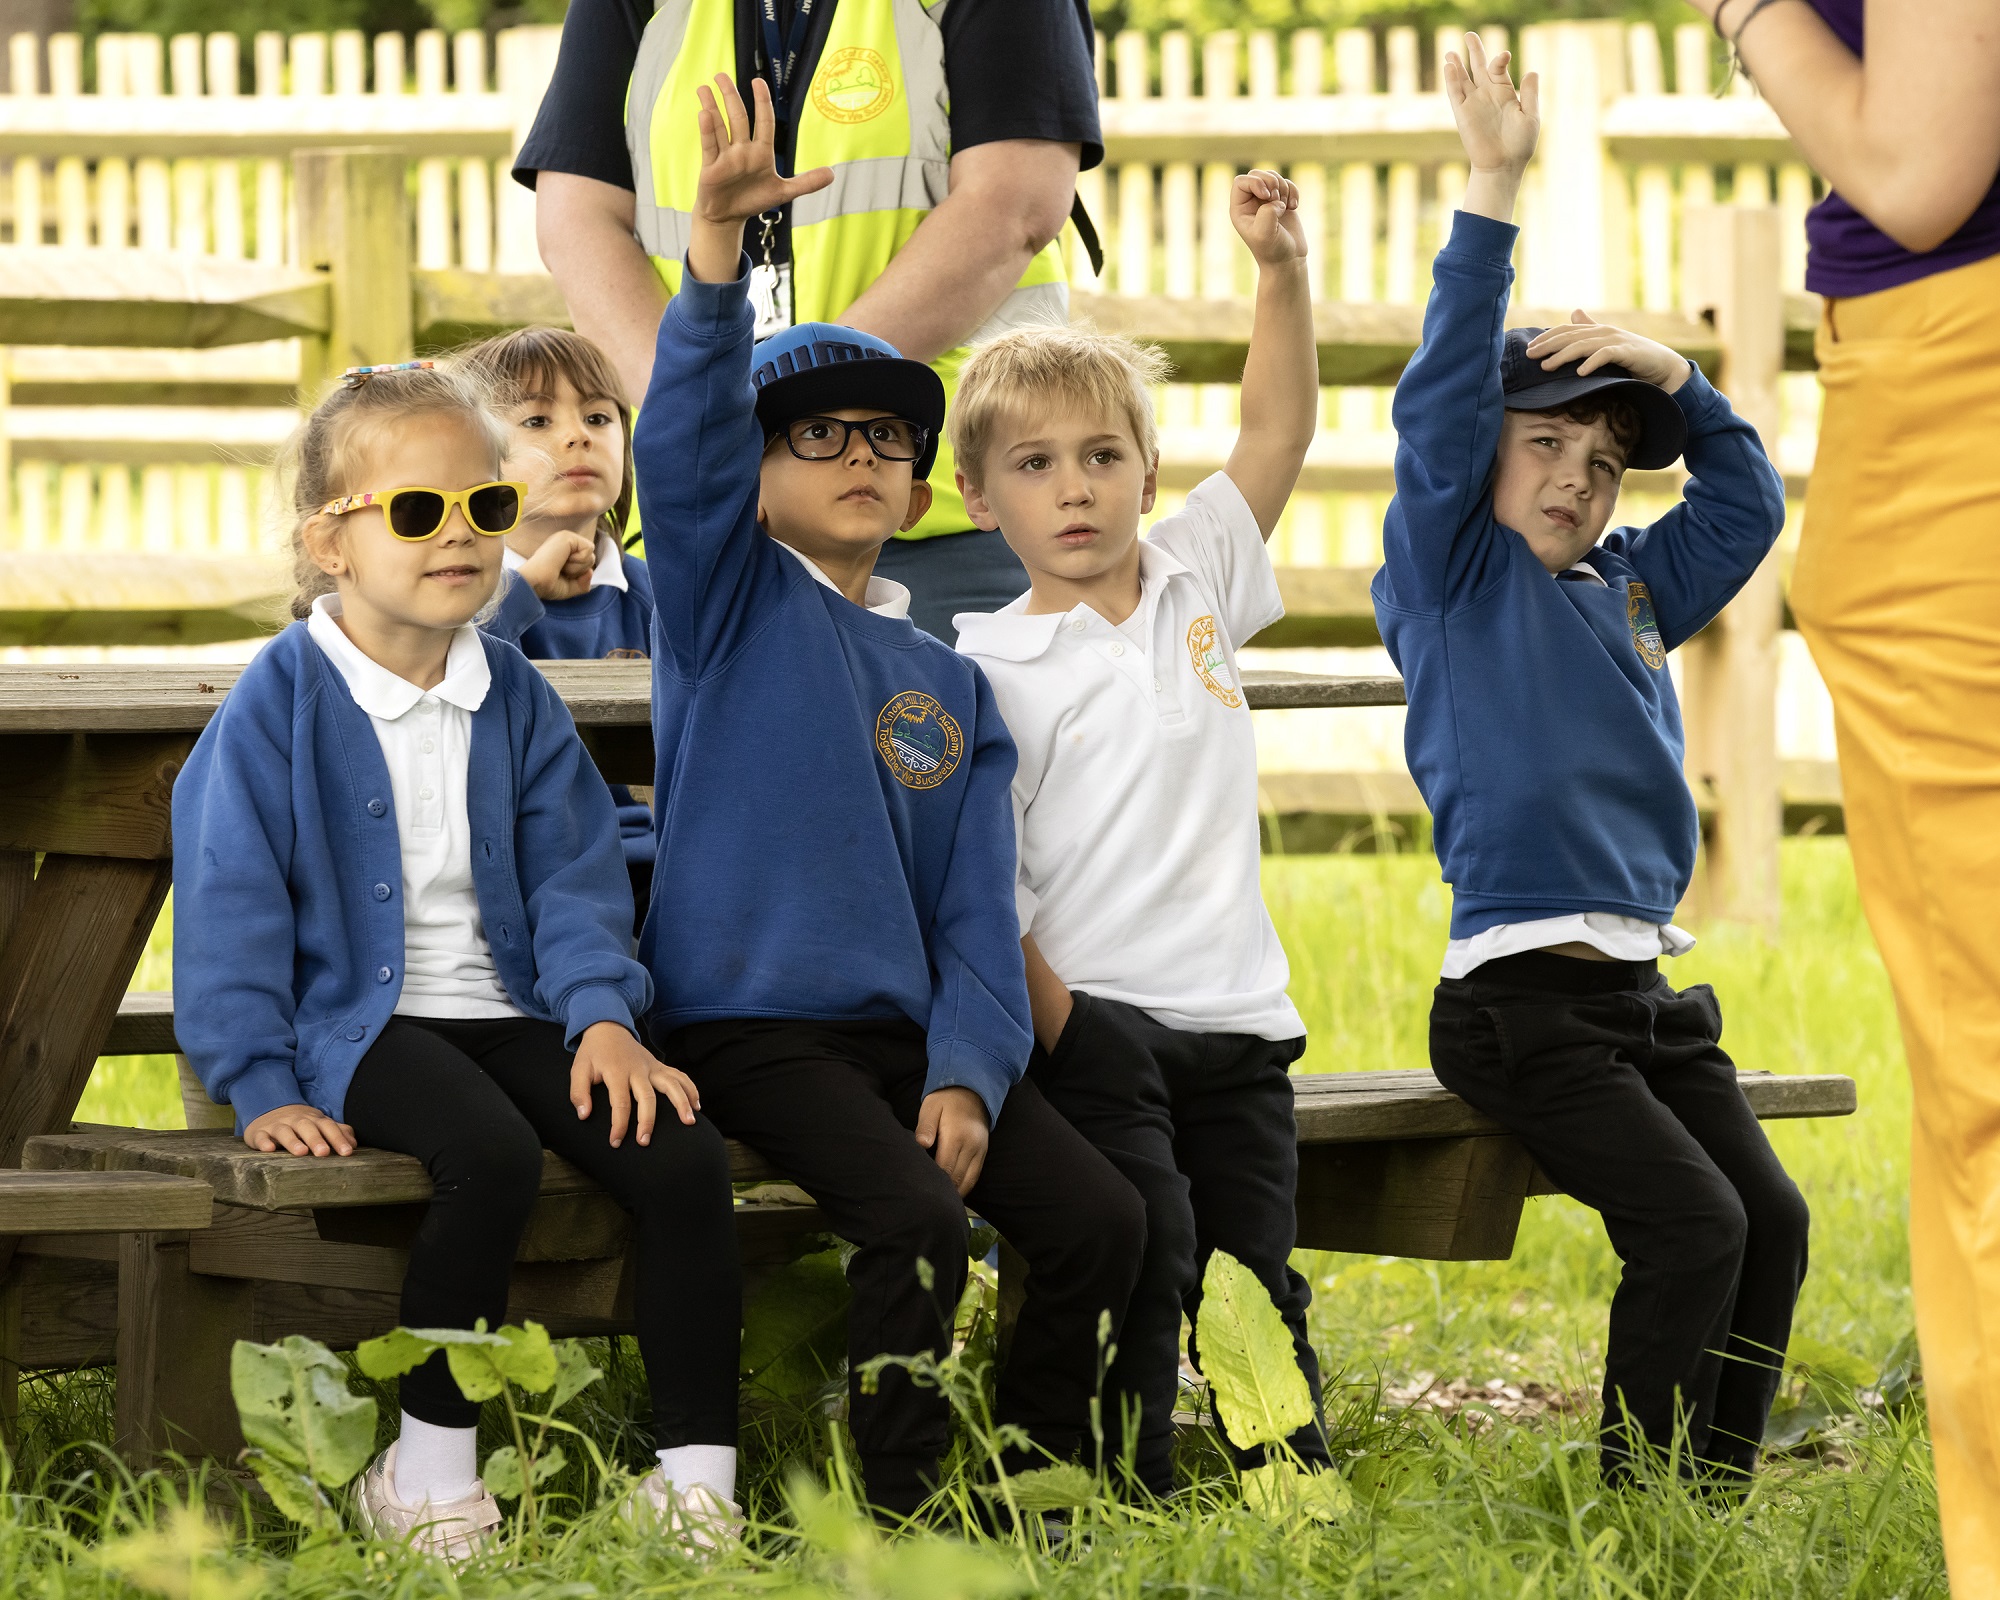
[955,133]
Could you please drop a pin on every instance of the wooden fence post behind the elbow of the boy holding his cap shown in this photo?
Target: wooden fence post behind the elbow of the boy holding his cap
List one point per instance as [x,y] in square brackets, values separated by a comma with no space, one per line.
[1733,263]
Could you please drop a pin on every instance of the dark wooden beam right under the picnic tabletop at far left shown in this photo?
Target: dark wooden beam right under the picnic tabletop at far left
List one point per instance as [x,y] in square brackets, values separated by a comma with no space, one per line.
[105,795]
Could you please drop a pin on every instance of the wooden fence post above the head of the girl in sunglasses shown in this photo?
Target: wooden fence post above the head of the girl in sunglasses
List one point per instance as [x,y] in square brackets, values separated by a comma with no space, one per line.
[355,225]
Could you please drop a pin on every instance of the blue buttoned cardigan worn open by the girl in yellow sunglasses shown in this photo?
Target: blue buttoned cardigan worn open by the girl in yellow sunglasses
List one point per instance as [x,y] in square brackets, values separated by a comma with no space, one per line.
[289,869]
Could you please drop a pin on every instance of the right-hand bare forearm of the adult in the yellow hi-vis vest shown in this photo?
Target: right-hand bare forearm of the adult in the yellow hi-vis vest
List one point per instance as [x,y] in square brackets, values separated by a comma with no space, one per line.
[1007,201]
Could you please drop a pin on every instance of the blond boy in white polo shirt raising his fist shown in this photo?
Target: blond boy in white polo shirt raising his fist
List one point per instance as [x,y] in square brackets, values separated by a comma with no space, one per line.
[1157,979]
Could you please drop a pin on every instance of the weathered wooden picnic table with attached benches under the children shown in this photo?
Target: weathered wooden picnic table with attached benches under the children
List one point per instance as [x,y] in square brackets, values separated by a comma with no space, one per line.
[111,1257]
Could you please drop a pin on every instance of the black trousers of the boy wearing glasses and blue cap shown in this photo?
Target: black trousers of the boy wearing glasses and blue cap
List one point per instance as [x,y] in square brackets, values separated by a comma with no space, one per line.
[833,1105]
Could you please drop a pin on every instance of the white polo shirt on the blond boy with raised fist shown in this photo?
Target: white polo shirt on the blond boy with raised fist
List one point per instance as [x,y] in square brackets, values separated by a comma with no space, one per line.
[1137,785]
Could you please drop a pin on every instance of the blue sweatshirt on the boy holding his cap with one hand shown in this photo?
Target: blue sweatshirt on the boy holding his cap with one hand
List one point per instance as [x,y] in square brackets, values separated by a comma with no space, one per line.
[1543,725]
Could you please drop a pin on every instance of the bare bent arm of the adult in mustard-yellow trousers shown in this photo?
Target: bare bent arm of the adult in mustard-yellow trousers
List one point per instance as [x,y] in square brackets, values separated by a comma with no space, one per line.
[1911,137]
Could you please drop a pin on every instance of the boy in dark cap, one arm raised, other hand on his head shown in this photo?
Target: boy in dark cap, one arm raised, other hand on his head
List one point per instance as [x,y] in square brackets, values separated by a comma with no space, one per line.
[1547,741]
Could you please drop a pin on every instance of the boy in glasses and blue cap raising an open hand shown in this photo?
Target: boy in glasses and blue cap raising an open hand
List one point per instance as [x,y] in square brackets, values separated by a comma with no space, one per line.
[833,931]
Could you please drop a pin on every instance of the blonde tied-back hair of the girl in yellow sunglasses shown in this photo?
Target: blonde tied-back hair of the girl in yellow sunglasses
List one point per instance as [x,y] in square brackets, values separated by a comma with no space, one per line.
[325,453]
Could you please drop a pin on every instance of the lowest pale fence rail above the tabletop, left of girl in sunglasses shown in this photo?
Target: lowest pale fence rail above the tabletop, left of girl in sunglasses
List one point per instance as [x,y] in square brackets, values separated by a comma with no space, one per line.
[137,597]
